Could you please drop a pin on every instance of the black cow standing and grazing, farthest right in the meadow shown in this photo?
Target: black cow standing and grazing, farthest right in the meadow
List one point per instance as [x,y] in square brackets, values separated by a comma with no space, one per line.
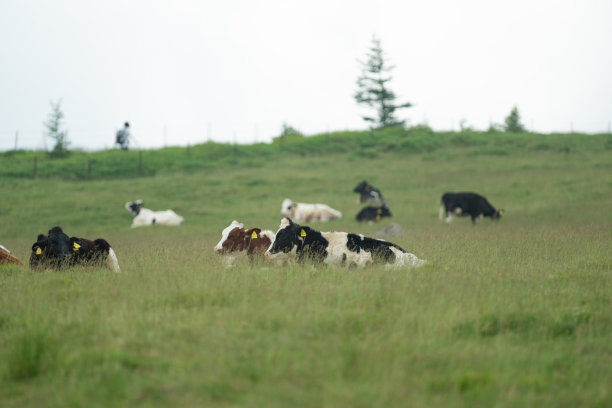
[464,204]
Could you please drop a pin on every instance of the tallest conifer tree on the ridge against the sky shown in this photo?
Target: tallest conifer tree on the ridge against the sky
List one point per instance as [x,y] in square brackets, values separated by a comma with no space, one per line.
[373,90]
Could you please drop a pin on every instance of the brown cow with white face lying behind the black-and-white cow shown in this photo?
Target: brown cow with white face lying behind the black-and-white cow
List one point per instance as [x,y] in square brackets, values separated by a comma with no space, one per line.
[237,238]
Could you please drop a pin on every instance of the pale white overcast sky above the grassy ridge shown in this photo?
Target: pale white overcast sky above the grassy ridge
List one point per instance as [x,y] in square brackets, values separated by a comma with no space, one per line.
[236,70]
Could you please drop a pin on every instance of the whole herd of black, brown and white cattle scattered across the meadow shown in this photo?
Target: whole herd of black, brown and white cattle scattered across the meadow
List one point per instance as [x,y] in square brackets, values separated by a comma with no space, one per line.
[291,242]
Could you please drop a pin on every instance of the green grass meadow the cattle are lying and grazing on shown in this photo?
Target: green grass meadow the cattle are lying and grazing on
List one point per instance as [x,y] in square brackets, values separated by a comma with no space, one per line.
[510,314]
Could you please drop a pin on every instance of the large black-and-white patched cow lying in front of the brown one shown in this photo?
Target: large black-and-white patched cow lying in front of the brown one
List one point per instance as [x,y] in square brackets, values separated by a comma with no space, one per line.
[296,241]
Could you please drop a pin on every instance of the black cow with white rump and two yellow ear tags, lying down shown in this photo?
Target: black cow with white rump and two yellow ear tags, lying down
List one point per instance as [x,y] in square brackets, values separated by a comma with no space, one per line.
[57,250]
